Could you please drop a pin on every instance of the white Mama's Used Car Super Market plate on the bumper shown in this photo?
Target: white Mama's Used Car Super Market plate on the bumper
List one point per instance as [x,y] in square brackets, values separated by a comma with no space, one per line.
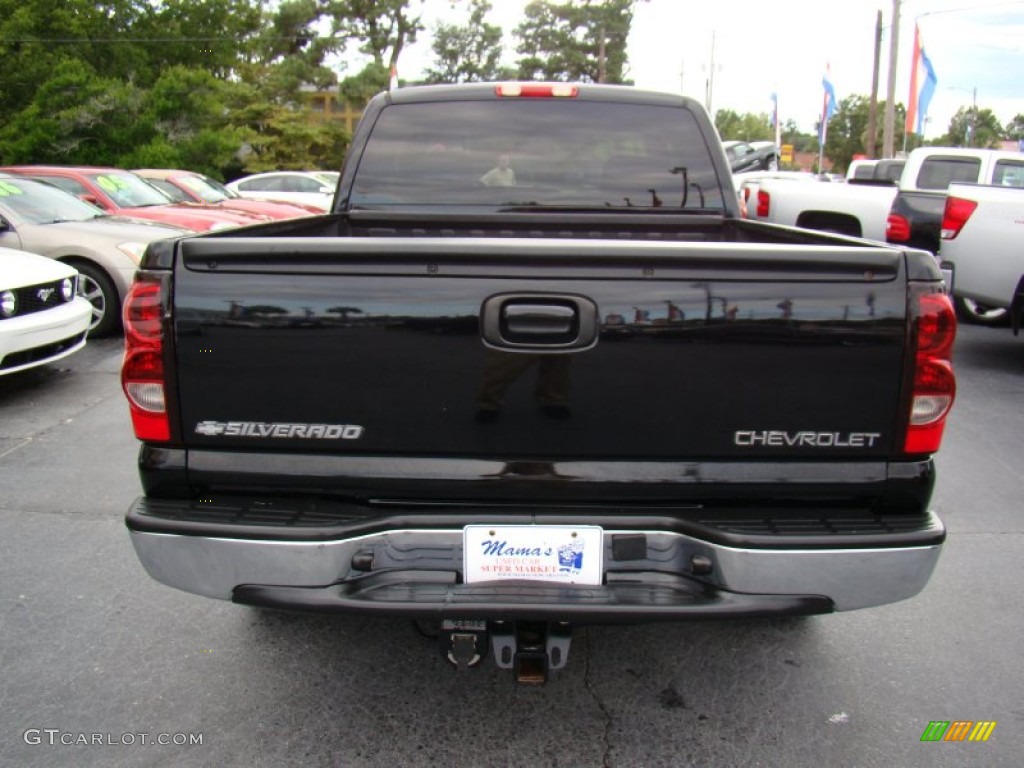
[561,554]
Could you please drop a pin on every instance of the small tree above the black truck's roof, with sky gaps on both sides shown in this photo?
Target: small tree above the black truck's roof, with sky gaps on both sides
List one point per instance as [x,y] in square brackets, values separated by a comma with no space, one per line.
[468,54]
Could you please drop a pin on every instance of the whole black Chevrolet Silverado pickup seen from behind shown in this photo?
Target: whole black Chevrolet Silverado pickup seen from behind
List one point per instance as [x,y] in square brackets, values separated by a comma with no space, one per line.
[534,371]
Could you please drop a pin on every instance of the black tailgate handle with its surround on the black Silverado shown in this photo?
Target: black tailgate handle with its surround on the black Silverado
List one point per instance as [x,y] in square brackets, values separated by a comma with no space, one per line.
[539,323]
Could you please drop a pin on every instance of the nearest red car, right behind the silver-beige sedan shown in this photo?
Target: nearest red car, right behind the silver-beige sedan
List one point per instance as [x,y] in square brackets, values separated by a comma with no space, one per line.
[124,194]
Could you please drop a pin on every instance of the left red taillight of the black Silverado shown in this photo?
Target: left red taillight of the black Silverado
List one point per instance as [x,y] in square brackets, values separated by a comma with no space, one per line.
[143,369]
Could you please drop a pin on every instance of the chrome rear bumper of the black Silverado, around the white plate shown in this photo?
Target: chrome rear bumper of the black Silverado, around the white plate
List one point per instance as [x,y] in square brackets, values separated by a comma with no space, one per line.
[417,573]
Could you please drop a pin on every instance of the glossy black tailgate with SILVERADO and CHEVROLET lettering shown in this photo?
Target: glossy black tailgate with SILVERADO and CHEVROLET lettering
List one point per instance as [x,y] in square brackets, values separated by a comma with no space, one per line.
[539,350]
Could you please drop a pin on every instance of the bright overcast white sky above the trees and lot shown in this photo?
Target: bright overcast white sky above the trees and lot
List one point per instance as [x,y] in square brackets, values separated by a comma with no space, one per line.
[740,53]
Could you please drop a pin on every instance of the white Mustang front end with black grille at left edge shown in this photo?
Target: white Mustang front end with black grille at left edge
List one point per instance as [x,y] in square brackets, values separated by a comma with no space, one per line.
[42,318]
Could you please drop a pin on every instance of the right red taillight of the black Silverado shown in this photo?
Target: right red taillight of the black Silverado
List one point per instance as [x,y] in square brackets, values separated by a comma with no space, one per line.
[934,382]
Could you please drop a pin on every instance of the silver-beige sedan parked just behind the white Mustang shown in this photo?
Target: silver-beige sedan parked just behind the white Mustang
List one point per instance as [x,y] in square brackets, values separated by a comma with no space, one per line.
[106,250]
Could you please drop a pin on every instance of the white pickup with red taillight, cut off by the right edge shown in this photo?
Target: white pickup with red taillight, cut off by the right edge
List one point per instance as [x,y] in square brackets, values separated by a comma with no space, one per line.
[984,247]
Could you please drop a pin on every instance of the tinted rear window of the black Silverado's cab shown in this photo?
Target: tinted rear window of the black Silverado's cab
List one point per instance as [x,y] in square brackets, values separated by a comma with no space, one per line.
[537,153]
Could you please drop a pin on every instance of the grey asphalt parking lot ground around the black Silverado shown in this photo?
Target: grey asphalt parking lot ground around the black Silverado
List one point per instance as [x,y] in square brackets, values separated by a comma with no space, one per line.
[104,667]
